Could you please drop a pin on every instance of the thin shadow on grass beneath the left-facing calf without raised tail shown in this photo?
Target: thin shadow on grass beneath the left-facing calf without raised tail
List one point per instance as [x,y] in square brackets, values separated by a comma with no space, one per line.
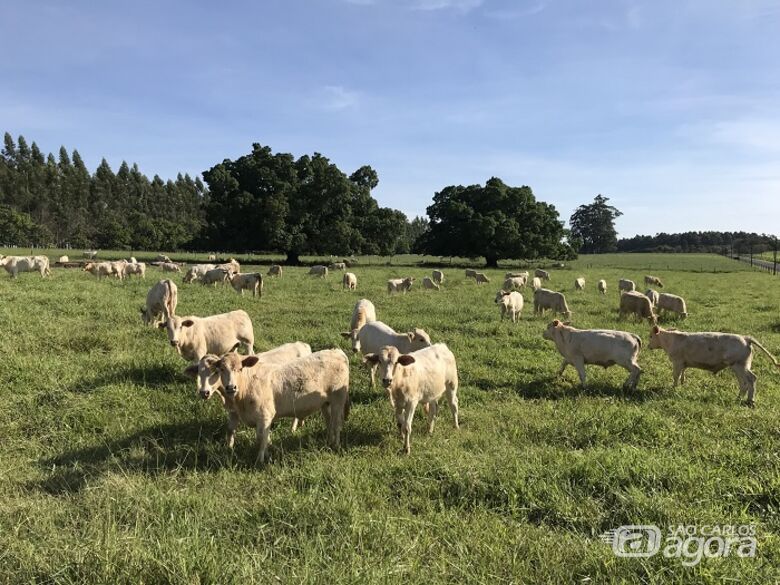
[554,388]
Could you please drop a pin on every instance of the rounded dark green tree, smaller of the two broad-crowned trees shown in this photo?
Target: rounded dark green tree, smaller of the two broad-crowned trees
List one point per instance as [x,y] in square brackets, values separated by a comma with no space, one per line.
[495,221]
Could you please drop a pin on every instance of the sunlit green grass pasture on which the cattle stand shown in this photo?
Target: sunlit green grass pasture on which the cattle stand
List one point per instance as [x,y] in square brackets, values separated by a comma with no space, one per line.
[112,471]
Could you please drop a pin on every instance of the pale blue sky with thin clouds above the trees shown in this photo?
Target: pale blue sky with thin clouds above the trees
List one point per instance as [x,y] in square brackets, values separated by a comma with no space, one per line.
[670,108]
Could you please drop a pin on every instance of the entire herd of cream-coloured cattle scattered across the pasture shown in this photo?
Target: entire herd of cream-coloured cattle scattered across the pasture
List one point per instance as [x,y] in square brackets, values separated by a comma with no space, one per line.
[291,381]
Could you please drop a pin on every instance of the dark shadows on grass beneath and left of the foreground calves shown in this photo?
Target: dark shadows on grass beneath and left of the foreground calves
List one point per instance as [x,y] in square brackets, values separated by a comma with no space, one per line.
[187,446]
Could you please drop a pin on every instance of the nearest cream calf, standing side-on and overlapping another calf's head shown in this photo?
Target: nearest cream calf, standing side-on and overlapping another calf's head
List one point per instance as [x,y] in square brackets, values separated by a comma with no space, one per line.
[256,393]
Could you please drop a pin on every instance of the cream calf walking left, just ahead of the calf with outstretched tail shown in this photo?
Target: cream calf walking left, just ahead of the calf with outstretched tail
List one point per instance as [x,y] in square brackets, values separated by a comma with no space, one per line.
[598,347]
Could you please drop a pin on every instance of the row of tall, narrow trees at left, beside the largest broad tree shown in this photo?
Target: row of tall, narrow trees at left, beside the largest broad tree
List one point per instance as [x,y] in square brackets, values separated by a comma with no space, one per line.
[48,201]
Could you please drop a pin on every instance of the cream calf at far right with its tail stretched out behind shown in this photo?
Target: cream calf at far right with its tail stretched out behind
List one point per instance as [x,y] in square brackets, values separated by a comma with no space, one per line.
[712,352]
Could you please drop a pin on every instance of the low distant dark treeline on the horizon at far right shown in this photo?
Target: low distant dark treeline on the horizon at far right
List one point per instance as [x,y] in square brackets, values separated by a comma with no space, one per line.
[709,242]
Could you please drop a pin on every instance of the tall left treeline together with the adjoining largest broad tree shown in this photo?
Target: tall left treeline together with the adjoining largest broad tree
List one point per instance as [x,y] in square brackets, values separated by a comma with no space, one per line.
[261,202]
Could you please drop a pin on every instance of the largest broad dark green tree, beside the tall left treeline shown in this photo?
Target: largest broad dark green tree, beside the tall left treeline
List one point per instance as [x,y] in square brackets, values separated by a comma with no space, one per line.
[271,201]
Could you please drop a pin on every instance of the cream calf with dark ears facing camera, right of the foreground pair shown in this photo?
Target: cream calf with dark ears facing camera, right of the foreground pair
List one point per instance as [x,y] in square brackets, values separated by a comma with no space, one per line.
[422,376]
